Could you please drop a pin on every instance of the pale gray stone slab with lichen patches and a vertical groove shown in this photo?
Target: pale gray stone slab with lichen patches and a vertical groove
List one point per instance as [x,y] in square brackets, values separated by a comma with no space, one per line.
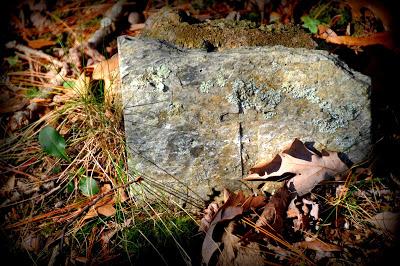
[203,119]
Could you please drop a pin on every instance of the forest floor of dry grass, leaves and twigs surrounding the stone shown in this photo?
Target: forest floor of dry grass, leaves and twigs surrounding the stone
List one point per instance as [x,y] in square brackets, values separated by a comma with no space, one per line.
[65,192]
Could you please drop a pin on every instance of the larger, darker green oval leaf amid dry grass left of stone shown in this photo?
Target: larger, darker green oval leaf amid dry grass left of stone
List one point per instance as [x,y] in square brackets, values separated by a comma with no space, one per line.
[53,143]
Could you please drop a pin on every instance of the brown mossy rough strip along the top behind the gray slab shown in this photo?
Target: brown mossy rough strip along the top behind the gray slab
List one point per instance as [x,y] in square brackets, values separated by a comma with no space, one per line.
[168,25]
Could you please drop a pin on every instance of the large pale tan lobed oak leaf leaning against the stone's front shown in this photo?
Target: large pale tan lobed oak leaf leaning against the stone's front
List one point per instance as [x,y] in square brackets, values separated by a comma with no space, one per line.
[308,167]
